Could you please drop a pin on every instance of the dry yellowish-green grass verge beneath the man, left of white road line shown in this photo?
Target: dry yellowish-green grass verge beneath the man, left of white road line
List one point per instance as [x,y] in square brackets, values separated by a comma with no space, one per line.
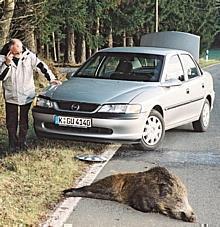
[31,182]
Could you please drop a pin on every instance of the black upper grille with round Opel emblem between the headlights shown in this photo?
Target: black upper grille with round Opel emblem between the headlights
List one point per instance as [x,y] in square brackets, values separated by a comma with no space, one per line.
[77,106]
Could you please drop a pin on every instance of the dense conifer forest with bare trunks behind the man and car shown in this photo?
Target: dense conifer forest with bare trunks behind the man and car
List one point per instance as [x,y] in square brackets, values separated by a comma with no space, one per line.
[70,31]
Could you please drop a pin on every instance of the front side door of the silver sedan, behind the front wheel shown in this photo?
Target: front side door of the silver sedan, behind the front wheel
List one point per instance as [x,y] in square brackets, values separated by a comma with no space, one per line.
[175,98]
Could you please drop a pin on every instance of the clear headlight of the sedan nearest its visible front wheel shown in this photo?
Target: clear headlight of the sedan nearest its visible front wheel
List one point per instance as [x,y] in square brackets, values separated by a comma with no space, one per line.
[121,108]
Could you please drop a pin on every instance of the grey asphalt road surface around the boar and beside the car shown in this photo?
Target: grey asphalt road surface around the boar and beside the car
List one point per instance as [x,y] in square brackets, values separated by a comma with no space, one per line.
[194,157]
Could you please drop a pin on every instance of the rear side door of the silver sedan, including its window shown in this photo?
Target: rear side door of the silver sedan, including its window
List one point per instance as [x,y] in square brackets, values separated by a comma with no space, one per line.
[195,86]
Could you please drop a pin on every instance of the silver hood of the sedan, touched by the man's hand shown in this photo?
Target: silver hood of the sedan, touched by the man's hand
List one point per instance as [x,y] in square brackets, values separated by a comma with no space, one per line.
[97,90]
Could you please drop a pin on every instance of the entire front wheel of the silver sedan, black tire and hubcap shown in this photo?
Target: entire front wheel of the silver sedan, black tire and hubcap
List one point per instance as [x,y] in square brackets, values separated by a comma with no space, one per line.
[153,132]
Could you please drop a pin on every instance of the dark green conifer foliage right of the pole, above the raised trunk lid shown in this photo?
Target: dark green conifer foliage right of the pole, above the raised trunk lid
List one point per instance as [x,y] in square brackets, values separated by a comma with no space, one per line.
[197,17]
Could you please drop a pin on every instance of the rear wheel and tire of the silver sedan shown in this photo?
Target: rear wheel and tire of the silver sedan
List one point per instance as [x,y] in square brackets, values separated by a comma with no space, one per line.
[203,123]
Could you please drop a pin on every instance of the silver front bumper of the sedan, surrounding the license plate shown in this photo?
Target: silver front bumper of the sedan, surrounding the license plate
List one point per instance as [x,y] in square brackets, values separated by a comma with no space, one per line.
[127,128]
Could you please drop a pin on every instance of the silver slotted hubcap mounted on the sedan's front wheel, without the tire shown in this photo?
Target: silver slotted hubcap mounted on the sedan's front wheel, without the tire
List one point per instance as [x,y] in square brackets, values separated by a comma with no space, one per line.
[152,131]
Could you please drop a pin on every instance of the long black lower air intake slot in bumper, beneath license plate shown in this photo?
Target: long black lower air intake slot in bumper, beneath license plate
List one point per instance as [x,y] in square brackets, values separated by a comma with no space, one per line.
[92,130]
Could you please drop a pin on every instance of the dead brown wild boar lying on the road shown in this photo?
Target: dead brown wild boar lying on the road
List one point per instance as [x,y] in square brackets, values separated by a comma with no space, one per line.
[155,190]
